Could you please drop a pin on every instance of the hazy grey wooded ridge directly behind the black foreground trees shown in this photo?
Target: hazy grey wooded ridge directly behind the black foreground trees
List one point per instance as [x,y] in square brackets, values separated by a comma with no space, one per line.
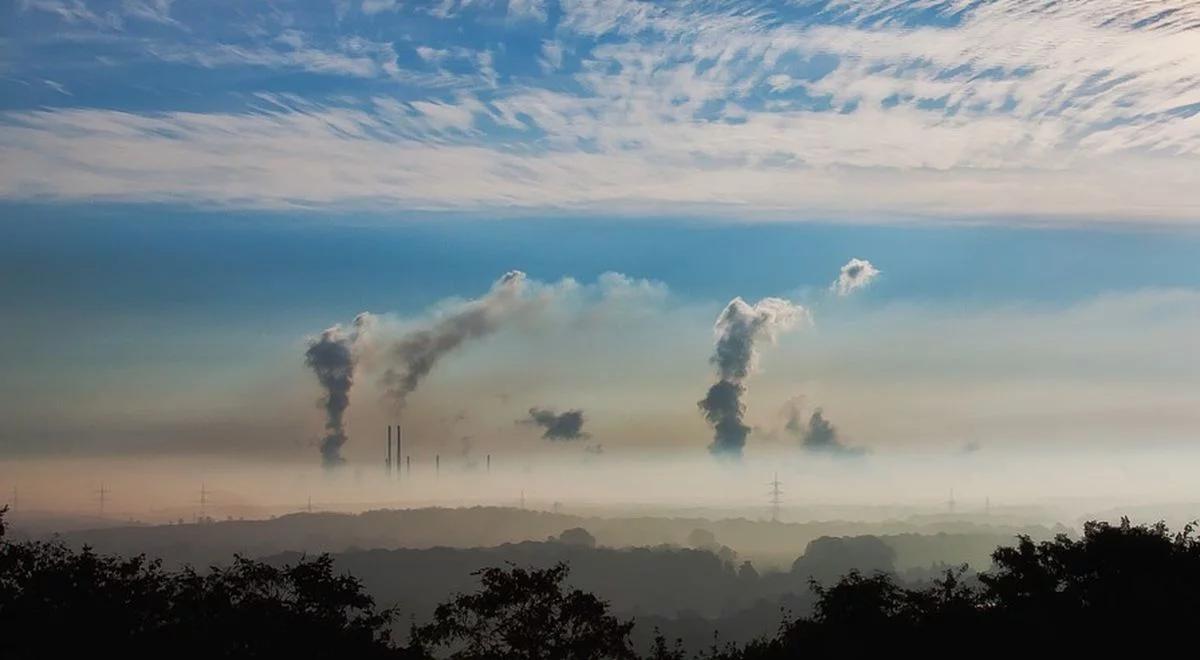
[687,592]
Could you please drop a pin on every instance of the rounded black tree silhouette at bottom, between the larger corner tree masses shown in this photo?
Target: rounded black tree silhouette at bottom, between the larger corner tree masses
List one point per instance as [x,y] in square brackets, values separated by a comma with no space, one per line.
[526,614]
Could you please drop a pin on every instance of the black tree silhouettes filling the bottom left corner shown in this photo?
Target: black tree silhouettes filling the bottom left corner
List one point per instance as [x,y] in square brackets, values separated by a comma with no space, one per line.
[59,603]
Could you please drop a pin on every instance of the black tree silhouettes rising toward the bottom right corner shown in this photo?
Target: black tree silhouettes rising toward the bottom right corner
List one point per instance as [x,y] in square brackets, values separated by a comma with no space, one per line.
[1066,596]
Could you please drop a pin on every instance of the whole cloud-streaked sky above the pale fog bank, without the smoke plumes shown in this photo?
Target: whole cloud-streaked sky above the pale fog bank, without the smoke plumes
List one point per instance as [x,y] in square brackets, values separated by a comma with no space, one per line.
[191,193]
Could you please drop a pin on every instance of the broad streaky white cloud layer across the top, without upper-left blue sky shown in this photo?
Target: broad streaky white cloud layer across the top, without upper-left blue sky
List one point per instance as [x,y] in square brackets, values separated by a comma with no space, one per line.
[1010,109]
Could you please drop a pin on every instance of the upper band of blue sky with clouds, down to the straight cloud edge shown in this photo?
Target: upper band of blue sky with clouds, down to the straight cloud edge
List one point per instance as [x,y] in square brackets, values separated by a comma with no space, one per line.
[878,110]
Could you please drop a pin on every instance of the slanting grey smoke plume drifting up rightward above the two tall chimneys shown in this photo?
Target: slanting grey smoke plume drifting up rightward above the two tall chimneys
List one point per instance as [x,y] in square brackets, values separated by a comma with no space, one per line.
[417,353]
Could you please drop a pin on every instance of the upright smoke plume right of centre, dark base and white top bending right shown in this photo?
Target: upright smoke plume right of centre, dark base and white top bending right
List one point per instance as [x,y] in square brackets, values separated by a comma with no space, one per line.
[740,328]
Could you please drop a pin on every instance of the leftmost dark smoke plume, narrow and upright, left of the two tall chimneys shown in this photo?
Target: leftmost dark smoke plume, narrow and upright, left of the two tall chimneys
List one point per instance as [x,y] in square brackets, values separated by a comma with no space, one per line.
[331,357]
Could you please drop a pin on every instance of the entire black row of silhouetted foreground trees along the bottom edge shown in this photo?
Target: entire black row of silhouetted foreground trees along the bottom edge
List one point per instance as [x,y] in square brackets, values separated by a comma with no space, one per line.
[1117,583]
